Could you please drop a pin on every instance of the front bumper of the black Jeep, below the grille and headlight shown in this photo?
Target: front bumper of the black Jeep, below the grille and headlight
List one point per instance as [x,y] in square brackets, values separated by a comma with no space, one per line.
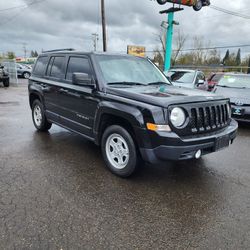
[183,149]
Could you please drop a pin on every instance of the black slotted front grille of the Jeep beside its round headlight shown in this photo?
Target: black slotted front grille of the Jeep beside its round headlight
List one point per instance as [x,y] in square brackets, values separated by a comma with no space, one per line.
[204,118]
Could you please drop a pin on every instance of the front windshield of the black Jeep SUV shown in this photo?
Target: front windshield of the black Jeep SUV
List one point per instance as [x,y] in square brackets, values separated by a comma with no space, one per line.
[126,69]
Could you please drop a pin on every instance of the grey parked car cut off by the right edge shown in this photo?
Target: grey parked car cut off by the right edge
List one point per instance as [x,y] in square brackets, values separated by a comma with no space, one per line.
[237,88]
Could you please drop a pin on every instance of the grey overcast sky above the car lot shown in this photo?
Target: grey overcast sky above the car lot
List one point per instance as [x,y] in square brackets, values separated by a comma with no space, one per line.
[55,24]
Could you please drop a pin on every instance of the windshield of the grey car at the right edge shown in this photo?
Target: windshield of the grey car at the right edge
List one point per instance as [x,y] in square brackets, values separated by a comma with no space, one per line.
[235,81]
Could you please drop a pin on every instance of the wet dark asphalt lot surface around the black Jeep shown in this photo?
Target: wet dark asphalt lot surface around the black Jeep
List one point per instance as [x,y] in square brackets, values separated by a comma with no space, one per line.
[55,193]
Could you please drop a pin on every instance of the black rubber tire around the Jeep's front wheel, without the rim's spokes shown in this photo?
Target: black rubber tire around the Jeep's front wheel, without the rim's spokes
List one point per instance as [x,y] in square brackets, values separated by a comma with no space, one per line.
[133,156]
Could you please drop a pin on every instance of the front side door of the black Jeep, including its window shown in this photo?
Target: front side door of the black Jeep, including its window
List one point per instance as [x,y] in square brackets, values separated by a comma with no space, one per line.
[78,103]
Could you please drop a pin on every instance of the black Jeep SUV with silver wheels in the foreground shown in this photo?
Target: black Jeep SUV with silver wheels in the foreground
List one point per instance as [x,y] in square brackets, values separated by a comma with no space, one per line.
[127,106]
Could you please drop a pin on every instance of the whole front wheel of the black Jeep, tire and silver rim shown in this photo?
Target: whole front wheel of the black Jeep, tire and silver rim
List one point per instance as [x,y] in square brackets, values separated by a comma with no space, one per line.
[119,151]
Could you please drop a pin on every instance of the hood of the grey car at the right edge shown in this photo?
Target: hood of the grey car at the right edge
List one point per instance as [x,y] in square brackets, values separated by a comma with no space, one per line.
[235,95]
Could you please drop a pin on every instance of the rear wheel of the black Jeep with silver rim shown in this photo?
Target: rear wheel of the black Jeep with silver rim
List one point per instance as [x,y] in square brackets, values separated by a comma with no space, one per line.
[39,118]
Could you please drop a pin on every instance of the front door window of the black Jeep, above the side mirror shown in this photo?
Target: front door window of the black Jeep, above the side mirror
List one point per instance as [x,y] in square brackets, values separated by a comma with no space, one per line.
[78,65]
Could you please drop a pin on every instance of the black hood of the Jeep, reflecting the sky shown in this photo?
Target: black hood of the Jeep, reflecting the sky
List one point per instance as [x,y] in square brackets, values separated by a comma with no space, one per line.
[164,95]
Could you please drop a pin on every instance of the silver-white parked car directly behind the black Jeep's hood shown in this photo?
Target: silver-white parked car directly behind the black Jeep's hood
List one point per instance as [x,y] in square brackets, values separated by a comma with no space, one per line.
[194,79]
